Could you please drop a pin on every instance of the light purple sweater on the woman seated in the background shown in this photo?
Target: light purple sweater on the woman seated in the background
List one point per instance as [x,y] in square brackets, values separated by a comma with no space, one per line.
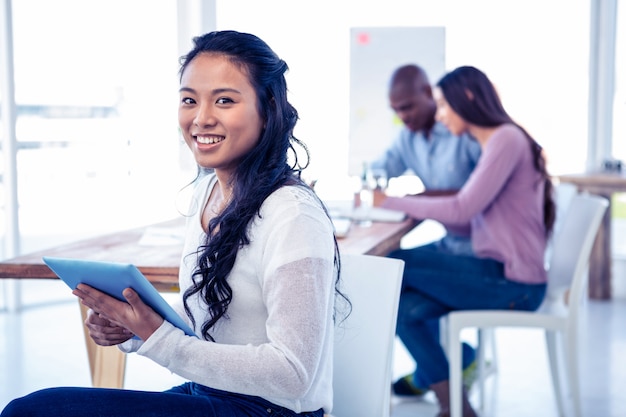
[503,201]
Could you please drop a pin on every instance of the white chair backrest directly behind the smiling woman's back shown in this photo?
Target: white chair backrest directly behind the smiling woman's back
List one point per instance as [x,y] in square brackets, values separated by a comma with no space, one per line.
[364,341]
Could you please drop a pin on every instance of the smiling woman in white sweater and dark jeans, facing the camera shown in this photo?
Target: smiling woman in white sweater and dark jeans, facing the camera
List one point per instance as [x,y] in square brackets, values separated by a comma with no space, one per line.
[260,269]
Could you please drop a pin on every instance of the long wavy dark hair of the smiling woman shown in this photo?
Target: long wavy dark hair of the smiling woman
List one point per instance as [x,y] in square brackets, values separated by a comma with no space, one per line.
[260,173]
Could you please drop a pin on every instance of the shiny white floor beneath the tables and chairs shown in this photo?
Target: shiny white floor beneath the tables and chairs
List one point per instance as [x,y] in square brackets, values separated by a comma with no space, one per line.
[43,346]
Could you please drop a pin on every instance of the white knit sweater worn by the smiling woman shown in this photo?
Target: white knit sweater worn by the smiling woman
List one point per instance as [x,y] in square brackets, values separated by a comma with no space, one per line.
[277,339]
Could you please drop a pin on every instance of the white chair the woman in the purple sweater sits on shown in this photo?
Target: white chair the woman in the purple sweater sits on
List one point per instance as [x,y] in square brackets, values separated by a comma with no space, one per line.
[560,311]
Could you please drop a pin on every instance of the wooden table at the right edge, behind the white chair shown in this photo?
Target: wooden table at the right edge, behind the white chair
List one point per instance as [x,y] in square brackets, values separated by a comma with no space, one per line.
[604,184]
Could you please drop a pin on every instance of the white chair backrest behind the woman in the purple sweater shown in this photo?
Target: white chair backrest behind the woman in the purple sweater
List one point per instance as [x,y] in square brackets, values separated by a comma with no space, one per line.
[572,245]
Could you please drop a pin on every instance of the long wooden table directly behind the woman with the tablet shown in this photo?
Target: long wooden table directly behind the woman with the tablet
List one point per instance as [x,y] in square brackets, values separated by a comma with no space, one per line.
[159,263]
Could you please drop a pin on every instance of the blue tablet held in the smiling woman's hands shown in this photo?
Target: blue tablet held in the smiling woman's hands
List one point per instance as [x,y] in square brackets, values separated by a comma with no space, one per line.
[112,278]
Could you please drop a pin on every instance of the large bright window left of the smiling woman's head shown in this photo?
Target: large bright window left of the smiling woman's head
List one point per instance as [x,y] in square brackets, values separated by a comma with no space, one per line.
[96,96]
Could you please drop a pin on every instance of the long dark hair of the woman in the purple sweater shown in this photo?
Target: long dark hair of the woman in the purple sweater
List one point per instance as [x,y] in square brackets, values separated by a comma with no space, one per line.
[473,97]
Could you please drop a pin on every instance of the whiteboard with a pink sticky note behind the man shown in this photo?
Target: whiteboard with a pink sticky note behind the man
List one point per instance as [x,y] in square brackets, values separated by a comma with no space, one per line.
[375,52]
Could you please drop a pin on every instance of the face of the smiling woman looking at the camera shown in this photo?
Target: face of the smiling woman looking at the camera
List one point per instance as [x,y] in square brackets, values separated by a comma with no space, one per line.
[218,113]
